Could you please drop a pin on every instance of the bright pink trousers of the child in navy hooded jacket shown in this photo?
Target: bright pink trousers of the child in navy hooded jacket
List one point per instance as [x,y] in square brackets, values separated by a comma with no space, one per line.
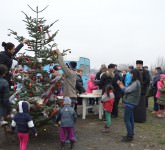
[23,139]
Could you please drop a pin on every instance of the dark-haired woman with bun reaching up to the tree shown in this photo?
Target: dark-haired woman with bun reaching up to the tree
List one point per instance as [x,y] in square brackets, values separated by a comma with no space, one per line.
[6,56]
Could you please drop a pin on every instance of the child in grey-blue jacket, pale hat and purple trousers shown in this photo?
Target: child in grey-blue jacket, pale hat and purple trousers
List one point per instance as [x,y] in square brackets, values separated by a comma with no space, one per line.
[67,118]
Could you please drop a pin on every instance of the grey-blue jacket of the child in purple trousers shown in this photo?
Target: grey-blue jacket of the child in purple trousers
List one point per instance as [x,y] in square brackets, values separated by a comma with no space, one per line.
[67,116]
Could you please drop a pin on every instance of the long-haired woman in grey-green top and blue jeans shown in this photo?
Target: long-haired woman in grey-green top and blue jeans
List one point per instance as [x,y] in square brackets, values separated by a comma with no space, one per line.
[131,100]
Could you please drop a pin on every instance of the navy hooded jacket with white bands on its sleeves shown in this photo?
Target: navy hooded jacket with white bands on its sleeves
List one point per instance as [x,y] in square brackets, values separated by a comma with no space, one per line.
[22,120]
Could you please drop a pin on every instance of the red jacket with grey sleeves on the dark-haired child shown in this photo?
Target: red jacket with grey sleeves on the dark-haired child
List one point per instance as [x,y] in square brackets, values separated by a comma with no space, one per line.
[108,102]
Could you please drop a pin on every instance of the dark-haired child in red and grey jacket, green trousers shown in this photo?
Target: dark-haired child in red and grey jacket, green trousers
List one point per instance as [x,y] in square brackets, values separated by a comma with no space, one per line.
[108,100]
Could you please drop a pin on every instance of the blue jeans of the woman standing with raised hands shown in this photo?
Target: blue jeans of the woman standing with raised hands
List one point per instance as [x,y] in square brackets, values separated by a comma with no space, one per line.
[129,120]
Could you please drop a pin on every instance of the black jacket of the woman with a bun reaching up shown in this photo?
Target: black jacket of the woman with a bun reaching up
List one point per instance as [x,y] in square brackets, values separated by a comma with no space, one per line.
[7,60]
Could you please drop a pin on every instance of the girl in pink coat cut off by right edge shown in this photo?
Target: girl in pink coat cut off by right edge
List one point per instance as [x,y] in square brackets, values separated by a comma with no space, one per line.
[160,95]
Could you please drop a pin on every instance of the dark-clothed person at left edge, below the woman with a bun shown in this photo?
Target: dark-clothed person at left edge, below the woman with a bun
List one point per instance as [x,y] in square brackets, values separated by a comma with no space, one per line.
[4,95]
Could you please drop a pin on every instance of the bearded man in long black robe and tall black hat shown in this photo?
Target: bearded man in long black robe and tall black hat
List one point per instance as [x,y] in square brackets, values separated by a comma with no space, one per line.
[140,110]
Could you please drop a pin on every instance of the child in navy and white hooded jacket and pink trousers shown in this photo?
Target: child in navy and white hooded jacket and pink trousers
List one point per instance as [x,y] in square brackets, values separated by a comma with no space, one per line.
[23,122]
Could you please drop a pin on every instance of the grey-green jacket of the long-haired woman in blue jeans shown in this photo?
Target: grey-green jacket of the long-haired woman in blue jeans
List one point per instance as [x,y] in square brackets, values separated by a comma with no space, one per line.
[132,93]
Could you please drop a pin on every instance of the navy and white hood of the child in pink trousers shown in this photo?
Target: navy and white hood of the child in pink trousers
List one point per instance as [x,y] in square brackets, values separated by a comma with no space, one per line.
[23,106]
